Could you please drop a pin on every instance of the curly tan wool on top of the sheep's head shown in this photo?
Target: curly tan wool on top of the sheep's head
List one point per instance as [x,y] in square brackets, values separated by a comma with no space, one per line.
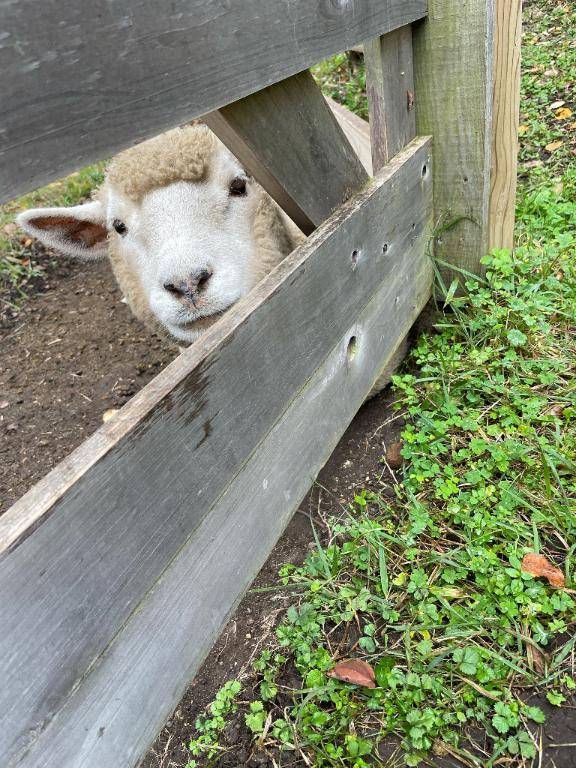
[183,154]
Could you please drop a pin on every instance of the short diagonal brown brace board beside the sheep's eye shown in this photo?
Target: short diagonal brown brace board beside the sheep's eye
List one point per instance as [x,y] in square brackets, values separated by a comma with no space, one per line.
[287,137]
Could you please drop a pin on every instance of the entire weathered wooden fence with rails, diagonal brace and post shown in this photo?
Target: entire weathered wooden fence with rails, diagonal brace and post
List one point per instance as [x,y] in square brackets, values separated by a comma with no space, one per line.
[119,569]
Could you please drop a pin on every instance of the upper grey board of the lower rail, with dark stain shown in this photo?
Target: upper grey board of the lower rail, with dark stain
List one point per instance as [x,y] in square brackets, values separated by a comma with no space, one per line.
[111,518]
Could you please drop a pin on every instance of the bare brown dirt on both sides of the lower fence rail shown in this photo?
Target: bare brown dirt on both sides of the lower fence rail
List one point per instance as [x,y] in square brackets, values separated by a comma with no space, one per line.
[72,353]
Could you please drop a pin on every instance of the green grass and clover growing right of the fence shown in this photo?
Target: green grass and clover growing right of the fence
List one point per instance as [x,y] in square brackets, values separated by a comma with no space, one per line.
[429,589]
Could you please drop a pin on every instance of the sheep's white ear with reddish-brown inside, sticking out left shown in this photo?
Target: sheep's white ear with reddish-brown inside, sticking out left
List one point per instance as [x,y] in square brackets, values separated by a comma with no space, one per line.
[78,231]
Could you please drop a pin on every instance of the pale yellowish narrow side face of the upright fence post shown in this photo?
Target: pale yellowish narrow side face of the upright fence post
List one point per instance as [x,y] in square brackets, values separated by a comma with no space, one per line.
[506,111]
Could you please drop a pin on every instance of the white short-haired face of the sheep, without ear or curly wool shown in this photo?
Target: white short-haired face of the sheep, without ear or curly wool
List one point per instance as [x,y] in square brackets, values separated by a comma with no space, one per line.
[189,244]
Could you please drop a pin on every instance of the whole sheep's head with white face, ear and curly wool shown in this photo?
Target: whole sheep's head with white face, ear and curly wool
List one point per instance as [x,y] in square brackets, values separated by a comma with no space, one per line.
[183,251]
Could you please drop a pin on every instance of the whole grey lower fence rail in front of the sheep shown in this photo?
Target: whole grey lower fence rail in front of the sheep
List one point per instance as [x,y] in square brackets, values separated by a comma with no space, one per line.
[136,549]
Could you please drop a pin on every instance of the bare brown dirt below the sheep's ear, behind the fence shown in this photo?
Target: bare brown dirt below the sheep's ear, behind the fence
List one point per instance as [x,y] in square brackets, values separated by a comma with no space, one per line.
[73,352]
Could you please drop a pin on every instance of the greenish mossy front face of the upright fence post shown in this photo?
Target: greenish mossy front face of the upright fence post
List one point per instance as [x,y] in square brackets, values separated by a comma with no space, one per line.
[453,71]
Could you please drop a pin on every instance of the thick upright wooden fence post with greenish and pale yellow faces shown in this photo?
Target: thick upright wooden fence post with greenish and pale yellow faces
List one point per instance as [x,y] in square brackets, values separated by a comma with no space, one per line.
[471,114]
